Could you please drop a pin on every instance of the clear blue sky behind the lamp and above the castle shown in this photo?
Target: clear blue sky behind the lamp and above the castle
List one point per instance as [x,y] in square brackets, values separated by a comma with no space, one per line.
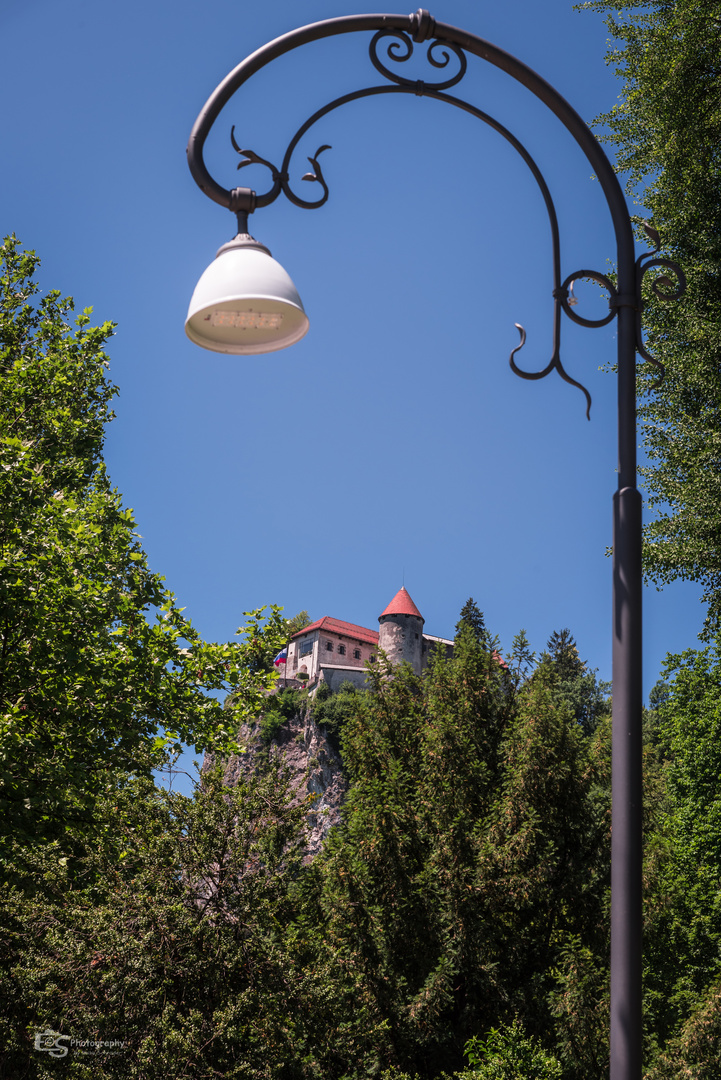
[393,442]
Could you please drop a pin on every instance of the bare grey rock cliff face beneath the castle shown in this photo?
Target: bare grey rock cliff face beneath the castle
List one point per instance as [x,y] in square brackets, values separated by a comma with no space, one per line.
[315,768]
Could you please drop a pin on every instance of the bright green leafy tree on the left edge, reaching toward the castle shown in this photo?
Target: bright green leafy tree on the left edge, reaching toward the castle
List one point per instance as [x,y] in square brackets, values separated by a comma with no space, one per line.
[100,670]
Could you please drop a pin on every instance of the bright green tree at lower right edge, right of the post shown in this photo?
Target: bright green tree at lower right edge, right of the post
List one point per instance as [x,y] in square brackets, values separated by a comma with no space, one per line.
[684,923]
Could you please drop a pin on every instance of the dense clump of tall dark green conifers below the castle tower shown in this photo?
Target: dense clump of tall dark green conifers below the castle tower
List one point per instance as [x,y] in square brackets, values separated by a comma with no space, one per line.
[474,852]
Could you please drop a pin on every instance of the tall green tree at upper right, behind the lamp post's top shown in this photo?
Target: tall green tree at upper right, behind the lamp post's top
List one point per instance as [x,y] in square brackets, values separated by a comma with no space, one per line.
[666,132]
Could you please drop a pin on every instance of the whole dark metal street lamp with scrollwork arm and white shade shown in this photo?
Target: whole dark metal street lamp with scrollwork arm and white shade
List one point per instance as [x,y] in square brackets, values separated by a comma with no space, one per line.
[247,303]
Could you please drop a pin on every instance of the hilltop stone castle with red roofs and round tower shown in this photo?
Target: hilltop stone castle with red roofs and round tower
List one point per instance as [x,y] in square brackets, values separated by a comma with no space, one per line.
[334,652]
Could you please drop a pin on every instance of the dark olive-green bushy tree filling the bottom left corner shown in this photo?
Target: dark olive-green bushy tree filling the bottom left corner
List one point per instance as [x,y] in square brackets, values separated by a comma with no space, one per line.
[189,931]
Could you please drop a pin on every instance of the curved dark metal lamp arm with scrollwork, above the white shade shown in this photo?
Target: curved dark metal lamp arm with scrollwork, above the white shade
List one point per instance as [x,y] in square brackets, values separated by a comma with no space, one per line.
[404,31]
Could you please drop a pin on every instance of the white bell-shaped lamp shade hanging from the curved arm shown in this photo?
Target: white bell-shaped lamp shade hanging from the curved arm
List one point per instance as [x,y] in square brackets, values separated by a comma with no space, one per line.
[246,303]
